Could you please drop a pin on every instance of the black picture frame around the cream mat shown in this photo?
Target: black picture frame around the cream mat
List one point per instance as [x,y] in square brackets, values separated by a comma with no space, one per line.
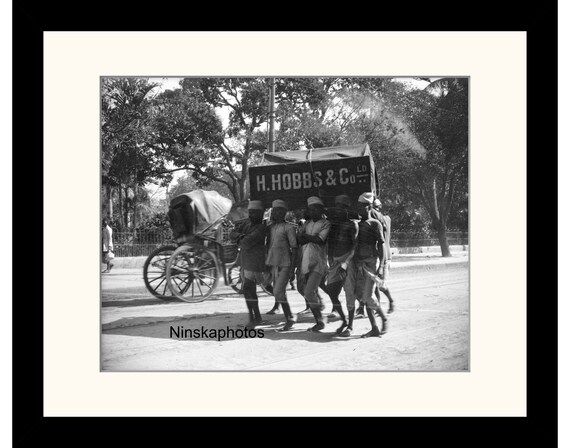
[29,422]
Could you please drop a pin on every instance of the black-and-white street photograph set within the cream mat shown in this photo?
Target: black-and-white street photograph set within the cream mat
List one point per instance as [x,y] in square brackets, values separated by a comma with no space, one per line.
[310,223]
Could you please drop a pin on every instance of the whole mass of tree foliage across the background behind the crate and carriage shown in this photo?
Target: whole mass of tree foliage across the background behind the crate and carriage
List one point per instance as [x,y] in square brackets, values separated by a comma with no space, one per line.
[216,128]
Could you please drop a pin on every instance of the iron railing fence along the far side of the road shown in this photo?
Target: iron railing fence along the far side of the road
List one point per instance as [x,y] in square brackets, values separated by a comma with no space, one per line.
[142,243]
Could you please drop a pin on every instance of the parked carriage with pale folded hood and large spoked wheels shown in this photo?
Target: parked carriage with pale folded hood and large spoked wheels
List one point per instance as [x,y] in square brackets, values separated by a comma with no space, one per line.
[190,268]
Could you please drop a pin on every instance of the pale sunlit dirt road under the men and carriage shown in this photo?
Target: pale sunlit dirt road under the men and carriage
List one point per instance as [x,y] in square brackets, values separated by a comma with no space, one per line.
[429,331]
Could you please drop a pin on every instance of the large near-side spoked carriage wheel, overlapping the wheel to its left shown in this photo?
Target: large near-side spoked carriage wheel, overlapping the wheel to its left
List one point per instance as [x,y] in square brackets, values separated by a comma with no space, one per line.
[192,273]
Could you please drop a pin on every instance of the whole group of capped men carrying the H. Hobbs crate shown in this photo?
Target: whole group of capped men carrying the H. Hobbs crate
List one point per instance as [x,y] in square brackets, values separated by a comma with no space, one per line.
[333,249]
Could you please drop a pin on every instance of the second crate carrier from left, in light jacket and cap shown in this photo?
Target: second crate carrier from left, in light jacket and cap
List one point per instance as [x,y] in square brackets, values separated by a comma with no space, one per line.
[281,253]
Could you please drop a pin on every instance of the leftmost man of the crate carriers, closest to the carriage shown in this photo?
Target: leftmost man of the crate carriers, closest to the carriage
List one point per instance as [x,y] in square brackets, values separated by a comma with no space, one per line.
[250,237]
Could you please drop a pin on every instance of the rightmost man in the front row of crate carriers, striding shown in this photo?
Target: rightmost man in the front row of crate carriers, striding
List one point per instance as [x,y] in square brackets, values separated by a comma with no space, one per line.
[363,265]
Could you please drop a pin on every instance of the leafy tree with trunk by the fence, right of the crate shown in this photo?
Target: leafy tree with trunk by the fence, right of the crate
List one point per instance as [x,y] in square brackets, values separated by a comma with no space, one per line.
[438,117]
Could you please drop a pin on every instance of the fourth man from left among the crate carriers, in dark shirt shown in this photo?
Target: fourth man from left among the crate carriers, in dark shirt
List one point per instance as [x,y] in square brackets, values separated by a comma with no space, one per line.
[341,246]
